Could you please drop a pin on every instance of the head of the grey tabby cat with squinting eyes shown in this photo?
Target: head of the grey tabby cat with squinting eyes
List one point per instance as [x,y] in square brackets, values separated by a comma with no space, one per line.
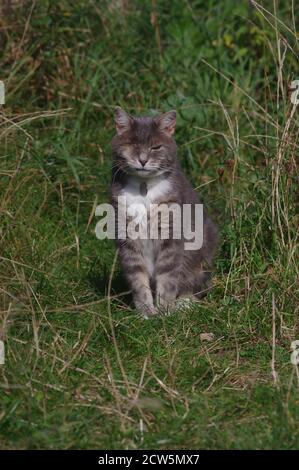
[144,146]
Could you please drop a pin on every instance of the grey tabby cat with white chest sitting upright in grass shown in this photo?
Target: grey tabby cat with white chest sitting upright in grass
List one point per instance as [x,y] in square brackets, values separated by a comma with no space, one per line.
[146,170]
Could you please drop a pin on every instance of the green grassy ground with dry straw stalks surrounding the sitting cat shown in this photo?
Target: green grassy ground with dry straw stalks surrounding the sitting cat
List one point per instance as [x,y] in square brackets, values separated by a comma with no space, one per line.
[82,369]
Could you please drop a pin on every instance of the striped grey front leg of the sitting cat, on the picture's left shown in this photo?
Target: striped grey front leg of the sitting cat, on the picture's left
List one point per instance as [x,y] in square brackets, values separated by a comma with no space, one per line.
[137,277]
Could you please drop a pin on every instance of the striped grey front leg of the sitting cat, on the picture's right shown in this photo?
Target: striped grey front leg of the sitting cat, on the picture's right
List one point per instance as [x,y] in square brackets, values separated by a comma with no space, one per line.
[167,274]
